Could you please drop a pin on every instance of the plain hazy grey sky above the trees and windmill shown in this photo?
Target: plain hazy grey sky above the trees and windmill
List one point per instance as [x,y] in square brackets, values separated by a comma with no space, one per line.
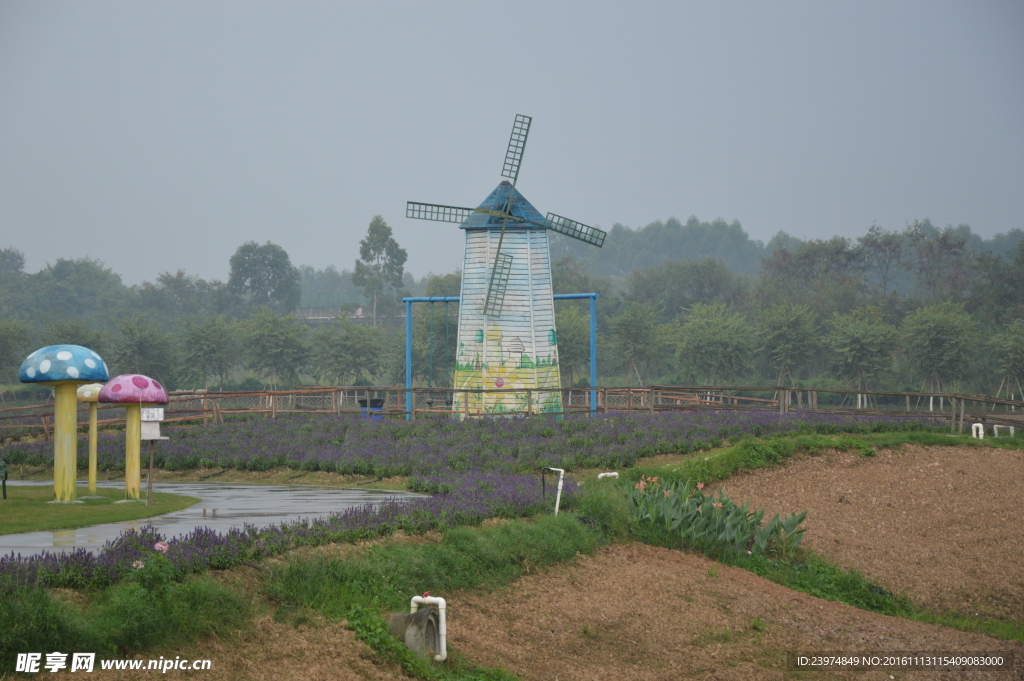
[161,136]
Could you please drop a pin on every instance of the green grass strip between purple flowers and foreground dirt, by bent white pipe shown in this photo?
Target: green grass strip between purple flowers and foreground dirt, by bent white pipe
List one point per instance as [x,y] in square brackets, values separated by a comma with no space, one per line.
[362,587]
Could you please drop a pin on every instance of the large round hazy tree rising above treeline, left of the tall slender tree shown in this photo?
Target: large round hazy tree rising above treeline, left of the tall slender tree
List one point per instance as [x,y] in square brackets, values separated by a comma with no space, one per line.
[266,277]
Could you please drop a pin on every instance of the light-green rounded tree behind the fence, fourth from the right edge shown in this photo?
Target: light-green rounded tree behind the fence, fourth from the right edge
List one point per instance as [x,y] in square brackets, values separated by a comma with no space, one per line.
[786,338]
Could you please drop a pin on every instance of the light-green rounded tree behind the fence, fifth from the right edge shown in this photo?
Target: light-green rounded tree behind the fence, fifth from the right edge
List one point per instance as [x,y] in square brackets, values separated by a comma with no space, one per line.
[715,346]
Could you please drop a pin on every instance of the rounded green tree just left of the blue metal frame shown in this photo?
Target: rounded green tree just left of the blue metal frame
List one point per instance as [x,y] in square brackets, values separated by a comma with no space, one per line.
[348,354]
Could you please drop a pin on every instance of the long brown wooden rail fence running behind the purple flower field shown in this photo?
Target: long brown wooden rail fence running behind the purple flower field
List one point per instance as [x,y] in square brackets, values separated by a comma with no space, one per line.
[434,403]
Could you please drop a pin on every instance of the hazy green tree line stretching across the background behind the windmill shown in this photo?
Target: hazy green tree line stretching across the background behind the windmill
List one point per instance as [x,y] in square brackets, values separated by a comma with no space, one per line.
[920,308]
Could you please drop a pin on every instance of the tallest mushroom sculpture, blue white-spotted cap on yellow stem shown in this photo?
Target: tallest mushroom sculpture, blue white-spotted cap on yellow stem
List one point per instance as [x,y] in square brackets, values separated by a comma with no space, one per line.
[64,367]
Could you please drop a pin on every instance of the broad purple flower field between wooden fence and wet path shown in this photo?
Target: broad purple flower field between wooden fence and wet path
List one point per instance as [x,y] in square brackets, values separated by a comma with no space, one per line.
[442,447]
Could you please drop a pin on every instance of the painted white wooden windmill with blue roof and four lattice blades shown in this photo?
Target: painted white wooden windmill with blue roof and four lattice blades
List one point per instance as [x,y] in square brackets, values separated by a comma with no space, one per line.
[507,337]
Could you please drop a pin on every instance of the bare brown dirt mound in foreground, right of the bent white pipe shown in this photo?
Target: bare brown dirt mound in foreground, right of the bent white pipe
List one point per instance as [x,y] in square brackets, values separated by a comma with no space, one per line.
[643,613]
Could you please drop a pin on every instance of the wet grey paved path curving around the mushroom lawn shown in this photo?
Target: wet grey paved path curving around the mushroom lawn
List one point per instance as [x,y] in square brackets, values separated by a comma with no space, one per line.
[224,506]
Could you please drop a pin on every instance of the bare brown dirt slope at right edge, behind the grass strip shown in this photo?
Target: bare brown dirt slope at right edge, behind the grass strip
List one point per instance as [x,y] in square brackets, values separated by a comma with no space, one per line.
[943,525]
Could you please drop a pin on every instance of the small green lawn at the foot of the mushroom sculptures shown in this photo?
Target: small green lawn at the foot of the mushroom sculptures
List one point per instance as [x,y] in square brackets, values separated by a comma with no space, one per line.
[27,510]
